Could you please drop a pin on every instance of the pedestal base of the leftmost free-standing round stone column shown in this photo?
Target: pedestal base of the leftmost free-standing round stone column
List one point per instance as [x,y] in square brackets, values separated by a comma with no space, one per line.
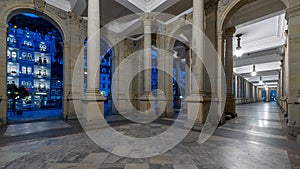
[93,110]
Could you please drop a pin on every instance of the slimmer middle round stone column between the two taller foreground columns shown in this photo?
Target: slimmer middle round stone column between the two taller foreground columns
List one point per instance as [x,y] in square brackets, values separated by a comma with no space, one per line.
[144,100]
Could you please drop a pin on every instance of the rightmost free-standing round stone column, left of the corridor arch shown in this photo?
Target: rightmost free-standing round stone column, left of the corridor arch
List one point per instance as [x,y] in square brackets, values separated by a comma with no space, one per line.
[196,99]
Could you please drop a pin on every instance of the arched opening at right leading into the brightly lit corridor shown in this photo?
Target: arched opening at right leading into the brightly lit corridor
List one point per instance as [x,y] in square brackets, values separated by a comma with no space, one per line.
[259,35]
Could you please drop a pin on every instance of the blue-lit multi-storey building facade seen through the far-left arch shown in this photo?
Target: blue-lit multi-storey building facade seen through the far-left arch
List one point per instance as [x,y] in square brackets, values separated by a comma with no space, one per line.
[32,55]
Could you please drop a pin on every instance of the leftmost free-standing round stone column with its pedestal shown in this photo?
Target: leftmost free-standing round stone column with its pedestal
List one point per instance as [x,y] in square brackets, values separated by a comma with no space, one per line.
[93,100]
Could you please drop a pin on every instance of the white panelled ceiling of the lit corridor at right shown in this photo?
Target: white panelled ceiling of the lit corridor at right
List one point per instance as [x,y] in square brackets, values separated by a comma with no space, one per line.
[262,43]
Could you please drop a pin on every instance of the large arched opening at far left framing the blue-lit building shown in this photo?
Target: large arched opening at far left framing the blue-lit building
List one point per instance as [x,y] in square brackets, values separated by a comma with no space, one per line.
[34,68]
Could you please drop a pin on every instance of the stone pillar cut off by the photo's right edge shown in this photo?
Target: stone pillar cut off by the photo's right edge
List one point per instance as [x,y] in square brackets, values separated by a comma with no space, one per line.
[293,68]
